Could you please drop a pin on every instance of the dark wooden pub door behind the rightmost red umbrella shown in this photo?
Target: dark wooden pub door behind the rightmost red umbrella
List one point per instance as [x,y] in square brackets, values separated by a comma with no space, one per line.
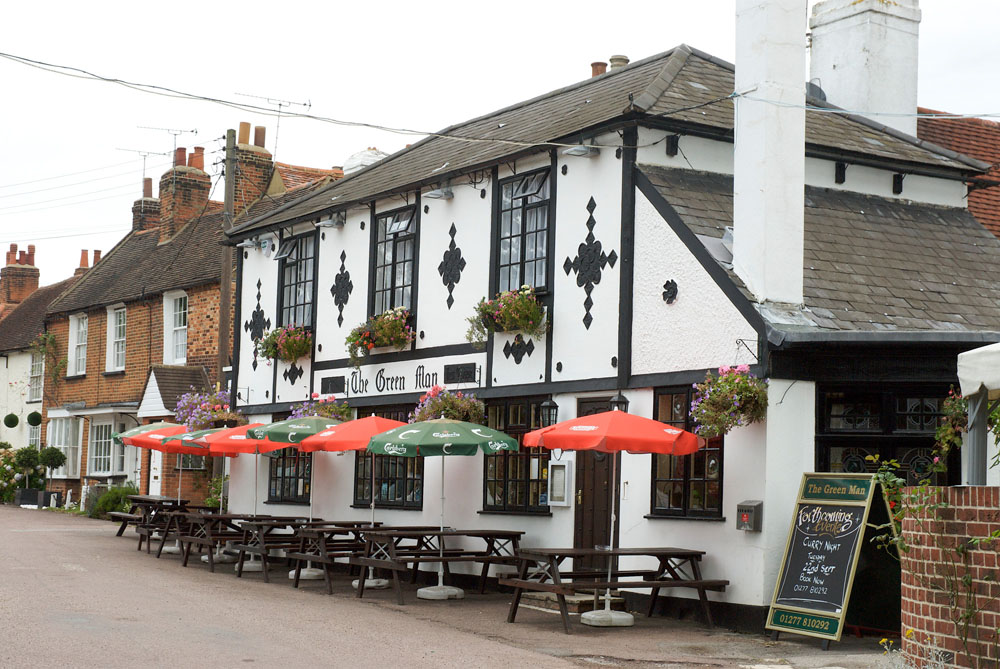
[593,475]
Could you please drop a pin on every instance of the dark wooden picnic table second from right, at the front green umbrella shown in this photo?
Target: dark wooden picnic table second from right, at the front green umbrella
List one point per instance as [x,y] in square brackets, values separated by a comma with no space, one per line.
[406,549]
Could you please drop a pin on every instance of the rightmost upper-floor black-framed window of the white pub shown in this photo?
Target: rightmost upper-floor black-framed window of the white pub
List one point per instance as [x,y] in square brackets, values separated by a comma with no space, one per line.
[524,231]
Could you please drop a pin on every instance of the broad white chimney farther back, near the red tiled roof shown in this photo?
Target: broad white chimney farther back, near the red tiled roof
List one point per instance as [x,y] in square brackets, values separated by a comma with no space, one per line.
[864,54]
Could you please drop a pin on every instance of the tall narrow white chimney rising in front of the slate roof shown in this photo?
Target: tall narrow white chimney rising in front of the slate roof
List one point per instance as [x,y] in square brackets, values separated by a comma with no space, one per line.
[769,169]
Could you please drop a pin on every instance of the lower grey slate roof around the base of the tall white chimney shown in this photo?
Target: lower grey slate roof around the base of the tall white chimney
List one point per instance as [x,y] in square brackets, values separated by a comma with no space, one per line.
[871,263]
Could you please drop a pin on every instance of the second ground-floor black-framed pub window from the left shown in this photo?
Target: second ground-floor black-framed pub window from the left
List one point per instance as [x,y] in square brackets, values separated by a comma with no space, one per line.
[399,481]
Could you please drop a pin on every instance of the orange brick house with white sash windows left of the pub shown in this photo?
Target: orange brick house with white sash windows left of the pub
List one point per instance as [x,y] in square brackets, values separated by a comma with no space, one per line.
[152,301]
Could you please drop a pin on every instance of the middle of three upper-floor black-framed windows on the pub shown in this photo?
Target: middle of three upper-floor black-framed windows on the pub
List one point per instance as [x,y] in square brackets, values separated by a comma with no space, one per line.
[395,253]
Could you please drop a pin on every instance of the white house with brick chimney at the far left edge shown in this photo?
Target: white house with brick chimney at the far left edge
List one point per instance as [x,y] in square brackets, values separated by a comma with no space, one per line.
[22,376]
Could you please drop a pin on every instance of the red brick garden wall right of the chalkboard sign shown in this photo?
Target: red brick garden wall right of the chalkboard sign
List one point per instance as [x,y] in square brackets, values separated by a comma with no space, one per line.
[930,636]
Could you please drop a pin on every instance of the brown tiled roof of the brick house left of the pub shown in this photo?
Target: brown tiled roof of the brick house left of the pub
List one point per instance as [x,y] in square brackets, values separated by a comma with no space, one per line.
[140,266]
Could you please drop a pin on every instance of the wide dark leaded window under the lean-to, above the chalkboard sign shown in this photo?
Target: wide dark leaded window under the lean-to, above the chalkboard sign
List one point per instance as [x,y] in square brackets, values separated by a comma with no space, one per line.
[893,422]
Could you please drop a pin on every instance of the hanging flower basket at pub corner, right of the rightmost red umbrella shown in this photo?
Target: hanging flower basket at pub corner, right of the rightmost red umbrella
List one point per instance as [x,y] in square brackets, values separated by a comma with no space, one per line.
[733,398]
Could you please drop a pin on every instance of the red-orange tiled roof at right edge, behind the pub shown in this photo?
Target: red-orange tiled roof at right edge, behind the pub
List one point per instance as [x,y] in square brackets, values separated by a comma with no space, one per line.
[974,137]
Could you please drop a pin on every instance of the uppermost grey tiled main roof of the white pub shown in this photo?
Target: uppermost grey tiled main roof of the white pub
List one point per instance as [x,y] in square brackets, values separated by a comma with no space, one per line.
[666,85]
